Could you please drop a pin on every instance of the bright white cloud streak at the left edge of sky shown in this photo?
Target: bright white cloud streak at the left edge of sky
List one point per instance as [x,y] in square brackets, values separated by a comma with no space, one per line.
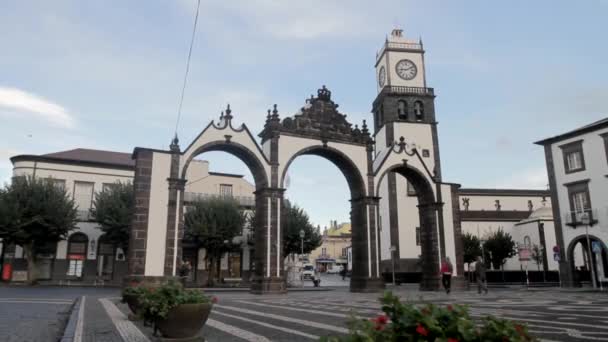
[24,104]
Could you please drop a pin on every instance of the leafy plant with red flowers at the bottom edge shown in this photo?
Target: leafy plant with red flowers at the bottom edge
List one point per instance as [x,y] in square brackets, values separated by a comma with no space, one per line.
[407,322]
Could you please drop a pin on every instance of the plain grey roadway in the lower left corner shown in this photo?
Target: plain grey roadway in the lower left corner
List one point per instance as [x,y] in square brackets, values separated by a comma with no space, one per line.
[38,314]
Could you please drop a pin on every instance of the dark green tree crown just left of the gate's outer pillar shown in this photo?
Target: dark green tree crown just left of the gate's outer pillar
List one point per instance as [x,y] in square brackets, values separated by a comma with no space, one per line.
[113,209]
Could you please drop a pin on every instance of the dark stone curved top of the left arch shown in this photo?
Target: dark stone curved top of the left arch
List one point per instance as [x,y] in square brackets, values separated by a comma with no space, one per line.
[254,164]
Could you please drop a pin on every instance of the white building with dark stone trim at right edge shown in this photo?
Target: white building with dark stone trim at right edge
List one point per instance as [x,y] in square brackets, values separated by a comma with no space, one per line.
[577,165]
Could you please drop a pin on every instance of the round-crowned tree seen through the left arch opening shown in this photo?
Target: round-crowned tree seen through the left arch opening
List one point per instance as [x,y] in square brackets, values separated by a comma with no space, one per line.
[212,223]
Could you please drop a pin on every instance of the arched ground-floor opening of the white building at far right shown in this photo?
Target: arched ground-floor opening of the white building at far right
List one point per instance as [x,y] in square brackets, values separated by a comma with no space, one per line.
[580,262]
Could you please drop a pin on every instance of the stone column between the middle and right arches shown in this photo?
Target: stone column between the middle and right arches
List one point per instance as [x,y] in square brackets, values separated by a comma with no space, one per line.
[365,246]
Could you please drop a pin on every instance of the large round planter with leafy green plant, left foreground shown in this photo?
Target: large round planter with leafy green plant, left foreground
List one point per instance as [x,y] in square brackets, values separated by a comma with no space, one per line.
[176,312]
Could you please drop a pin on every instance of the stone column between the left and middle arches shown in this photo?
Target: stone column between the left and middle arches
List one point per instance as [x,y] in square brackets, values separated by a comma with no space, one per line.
[268,274]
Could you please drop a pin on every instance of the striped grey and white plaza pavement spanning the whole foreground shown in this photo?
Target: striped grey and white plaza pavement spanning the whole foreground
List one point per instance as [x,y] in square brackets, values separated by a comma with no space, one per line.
[41,313]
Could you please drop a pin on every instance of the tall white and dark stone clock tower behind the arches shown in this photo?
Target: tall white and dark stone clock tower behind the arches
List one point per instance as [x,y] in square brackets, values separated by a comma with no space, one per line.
[404,107]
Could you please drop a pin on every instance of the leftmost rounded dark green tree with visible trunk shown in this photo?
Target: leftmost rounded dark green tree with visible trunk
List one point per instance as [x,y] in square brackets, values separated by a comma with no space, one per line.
[35,212]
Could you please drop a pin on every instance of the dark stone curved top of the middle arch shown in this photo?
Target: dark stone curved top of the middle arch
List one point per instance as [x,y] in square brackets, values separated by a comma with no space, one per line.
[353,176]
